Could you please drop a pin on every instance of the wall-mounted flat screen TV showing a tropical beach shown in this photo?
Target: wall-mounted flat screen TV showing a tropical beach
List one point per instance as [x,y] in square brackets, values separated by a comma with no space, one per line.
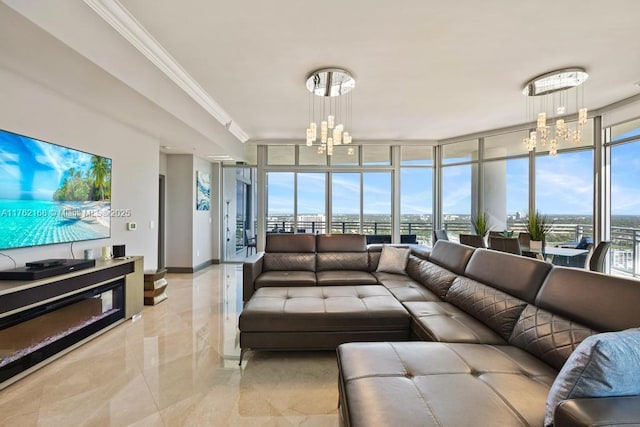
[51,194]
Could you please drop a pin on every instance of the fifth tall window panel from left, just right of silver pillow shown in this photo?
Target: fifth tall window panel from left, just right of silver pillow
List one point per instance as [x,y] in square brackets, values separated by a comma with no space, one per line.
[416,193]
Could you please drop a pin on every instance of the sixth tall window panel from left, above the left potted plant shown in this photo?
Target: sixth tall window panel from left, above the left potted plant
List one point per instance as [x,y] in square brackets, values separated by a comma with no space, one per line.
[458,163]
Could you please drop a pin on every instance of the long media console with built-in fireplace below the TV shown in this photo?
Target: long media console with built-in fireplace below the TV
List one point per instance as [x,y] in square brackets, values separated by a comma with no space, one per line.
[41,320]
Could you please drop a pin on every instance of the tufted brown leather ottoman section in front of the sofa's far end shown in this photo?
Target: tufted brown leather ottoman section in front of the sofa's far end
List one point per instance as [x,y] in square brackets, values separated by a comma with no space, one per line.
[320,317]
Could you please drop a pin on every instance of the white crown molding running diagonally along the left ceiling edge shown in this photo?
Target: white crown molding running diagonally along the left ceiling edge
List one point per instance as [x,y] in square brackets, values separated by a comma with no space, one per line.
[118,17]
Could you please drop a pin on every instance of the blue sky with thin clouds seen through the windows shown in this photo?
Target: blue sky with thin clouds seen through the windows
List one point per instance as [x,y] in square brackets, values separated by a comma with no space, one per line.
[564,186]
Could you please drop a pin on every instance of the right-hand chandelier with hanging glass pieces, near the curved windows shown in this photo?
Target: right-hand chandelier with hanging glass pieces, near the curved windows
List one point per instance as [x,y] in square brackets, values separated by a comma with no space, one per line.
[553,90]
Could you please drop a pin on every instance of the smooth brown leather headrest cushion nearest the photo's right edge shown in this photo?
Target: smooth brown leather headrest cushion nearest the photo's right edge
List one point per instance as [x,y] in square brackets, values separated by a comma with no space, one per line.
[576,294]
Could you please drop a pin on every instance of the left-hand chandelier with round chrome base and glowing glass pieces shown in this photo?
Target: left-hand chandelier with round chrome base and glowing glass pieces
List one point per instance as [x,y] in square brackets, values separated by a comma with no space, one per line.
[333,86]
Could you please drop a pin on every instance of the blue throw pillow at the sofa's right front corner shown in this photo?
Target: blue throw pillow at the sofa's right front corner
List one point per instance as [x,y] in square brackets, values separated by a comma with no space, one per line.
[603,365]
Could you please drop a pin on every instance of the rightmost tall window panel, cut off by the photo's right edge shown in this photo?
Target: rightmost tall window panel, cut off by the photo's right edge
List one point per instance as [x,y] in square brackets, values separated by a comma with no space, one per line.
[625,198]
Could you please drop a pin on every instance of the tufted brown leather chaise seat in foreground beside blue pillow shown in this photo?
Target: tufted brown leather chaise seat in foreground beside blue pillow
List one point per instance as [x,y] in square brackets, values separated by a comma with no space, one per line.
[438,384]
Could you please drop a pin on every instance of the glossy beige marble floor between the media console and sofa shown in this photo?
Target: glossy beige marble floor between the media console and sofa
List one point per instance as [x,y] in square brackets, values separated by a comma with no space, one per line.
[178,366]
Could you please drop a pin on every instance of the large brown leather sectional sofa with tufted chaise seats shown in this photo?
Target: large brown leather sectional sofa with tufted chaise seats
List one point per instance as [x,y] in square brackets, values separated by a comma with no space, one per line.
[491,330]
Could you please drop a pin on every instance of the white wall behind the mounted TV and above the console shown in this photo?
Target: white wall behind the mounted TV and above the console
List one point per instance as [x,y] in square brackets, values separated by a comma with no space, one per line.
[37,111]
